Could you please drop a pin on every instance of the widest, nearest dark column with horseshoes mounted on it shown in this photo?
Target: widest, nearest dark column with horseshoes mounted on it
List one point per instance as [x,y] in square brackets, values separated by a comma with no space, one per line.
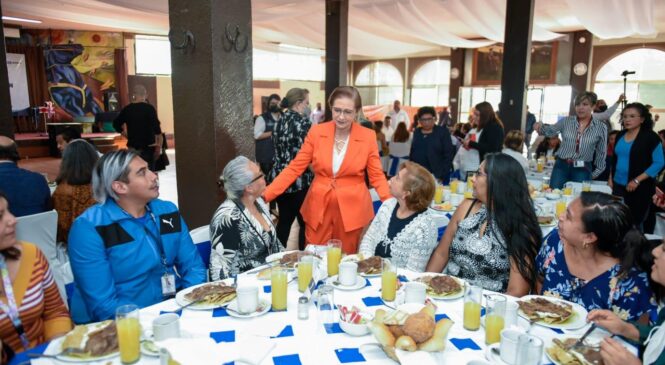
[211,59]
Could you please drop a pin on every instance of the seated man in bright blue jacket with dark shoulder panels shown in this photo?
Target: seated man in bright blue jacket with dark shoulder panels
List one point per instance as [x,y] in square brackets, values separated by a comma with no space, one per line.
[131,247]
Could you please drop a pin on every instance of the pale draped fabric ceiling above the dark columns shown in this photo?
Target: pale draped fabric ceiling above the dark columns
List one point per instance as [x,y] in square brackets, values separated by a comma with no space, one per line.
[378,28]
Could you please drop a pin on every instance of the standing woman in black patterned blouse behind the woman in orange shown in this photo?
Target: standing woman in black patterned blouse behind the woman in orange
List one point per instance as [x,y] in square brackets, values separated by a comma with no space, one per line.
[288,136]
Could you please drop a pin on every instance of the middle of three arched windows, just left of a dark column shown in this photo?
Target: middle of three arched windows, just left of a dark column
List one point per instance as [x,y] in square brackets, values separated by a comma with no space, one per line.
[430,84]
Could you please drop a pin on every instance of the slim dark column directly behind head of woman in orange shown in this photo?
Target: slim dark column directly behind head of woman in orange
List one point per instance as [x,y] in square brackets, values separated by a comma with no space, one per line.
[337,25]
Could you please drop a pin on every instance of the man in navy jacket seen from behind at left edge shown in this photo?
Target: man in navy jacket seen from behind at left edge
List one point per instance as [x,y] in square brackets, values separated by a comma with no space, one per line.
[27,192]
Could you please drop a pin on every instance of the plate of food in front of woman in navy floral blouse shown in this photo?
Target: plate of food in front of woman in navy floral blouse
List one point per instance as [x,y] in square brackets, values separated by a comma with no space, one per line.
[552,312]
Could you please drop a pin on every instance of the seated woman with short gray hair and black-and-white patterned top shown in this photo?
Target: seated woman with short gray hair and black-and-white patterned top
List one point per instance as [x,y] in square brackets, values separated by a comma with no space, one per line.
[241,231]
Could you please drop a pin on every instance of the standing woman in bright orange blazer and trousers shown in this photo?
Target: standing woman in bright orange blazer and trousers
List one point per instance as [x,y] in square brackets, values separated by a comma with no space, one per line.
[338,204]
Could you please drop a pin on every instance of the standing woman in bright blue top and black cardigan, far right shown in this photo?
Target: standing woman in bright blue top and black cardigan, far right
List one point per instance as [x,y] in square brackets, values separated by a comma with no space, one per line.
[638,158]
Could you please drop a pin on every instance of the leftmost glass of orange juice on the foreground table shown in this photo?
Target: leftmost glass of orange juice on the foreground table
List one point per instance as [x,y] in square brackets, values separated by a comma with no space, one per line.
[129,333]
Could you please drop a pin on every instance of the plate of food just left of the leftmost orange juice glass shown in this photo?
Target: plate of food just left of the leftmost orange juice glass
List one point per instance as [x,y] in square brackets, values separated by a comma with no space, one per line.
[89,342]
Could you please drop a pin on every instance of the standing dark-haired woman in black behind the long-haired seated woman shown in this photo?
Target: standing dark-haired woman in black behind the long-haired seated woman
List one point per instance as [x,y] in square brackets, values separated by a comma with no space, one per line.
[489,130]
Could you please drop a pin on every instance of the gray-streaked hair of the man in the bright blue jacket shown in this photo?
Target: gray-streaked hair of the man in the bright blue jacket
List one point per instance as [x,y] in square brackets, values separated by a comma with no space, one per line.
[113,166]
